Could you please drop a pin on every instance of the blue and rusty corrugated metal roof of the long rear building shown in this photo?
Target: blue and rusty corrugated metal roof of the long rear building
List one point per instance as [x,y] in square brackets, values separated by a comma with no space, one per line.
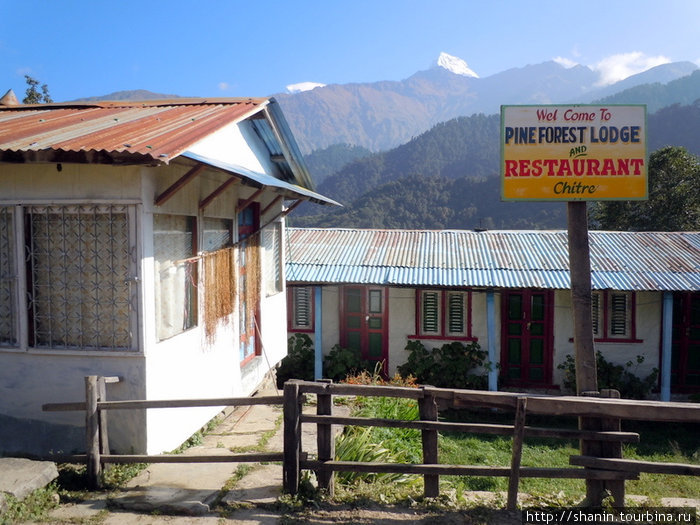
[491,259]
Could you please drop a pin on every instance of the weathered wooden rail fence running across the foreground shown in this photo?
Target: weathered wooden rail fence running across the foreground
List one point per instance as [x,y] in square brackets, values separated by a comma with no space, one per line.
[599,433]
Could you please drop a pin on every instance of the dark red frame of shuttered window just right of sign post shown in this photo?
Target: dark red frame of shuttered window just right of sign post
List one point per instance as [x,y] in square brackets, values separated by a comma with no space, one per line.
[603,317]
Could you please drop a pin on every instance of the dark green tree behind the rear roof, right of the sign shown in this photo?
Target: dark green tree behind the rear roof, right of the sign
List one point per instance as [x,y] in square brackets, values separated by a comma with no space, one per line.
[674,197]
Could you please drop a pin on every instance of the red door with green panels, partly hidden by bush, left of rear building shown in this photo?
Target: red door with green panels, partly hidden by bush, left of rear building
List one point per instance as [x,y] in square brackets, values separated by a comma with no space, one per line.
[364,320]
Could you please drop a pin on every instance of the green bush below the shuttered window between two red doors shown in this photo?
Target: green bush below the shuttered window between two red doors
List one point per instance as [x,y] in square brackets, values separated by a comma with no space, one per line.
[450,366]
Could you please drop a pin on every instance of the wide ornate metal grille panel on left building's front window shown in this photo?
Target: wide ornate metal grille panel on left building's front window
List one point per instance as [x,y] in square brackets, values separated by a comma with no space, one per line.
[79,274]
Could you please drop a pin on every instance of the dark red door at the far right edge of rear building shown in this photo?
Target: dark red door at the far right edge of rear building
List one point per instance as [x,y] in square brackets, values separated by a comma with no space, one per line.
[685,355]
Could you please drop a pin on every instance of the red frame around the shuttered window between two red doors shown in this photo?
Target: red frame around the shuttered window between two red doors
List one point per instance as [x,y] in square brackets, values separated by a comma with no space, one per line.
[444,315]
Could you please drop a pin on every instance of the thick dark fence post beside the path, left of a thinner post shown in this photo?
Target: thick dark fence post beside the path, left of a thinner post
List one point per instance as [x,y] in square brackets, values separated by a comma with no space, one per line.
[292,438]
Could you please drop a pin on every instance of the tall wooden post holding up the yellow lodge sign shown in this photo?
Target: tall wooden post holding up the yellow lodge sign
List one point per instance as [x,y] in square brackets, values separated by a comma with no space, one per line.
[586,374]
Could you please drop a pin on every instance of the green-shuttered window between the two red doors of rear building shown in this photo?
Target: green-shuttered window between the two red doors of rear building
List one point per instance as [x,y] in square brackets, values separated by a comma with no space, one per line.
[442,314]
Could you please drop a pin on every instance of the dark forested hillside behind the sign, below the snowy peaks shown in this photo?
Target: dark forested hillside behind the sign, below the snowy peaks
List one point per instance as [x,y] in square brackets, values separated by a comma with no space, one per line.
[447,178]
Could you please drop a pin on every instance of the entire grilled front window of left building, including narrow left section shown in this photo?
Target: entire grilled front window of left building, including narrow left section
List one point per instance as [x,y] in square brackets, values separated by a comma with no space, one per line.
[80,269]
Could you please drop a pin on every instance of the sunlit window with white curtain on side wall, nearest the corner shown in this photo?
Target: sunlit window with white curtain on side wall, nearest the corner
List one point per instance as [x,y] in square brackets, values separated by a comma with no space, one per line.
[175,274]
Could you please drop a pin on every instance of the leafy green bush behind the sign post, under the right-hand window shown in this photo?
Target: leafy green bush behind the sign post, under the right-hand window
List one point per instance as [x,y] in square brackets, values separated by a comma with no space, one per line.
[610,375]
